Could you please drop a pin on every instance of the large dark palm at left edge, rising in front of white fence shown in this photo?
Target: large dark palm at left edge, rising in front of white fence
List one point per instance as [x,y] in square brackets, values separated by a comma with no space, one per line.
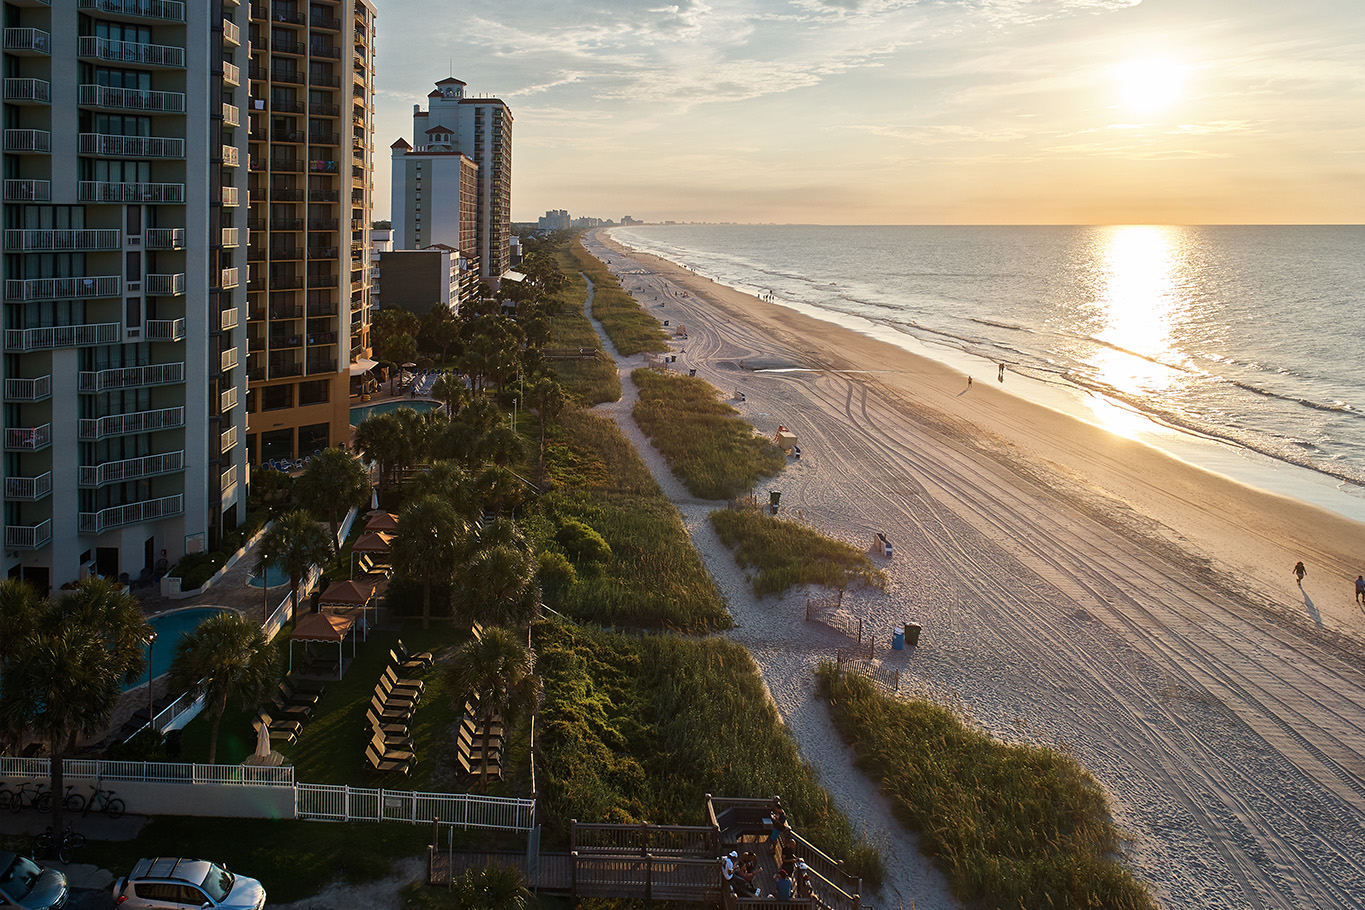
[63,680]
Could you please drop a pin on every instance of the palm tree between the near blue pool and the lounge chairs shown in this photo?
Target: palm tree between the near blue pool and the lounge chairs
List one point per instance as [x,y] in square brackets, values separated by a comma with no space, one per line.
[227,658]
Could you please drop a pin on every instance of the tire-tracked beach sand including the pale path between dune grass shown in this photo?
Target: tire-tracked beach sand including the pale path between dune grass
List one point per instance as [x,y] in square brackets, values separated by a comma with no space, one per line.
[1074,587]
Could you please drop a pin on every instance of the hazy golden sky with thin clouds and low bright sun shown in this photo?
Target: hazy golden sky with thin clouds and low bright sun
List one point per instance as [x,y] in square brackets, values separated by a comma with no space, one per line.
[903,111]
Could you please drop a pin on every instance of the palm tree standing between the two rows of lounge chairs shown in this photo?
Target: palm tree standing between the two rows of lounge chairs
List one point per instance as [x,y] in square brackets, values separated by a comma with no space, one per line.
[495,672]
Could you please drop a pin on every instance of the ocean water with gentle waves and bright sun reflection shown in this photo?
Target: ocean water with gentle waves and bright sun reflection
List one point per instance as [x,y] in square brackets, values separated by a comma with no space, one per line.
[1240,349]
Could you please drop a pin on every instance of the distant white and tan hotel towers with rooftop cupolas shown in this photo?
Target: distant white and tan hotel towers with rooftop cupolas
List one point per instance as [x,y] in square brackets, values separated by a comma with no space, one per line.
[452,185]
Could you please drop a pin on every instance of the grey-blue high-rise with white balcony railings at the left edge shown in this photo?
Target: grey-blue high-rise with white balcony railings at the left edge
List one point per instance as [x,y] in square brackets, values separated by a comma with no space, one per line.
[125,263]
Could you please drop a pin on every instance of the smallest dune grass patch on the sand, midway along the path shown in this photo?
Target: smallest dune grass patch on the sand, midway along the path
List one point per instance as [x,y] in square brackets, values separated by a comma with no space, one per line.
[788,555]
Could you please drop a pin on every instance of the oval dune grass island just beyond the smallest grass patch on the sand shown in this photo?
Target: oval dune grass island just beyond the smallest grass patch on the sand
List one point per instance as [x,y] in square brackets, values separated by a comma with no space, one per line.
[709,448]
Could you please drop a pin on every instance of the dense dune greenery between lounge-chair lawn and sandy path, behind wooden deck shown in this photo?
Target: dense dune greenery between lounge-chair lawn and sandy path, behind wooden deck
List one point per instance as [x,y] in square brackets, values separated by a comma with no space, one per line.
[642,728]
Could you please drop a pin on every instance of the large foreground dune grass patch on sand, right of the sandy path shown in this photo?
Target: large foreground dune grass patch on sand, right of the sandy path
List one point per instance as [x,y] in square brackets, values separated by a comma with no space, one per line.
[1011,826]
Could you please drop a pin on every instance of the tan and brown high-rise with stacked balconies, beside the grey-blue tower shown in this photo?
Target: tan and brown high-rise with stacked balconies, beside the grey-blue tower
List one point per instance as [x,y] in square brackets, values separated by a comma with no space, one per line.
[311,130]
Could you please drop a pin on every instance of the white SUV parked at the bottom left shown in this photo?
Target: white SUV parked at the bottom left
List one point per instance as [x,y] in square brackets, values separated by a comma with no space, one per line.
[170,883]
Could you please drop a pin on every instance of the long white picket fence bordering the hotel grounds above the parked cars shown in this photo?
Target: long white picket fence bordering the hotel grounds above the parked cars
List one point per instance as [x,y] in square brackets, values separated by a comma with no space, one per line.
[312,802]
